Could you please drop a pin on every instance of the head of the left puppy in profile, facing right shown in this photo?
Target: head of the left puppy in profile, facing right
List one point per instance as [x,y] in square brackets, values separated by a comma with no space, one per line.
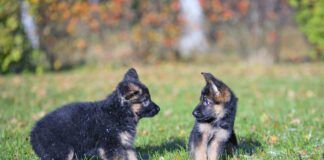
[135,95]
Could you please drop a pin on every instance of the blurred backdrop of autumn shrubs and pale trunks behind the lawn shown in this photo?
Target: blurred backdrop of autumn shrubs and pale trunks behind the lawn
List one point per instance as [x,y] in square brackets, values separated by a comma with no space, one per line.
[51,35]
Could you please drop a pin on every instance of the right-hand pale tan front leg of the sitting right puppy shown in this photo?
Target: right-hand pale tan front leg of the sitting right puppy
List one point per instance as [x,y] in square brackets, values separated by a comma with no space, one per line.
[217,144]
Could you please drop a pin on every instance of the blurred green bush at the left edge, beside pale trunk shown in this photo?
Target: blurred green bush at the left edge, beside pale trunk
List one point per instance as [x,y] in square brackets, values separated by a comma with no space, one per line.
[16,54]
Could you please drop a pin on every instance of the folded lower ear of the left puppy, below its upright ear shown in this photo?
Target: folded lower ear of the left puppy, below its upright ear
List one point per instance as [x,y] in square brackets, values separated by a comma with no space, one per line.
[128,90]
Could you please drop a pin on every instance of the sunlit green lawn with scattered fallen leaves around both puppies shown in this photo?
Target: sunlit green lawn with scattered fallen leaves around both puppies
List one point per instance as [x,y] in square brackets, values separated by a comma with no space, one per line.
[280,110]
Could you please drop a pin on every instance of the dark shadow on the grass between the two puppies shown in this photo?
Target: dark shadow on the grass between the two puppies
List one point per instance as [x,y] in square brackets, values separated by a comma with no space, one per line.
[174,144]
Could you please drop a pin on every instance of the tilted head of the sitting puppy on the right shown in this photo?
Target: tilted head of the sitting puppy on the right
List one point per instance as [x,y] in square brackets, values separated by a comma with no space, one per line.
[215,99]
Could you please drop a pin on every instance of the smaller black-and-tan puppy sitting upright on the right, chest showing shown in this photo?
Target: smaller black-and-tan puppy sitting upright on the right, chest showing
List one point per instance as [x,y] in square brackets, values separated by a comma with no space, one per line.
[215,114]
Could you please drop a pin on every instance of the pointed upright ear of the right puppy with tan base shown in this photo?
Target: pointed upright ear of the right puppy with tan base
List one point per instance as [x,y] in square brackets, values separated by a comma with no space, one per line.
[220,91]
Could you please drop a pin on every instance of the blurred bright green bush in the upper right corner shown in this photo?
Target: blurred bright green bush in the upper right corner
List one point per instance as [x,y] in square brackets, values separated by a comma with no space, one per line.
[310,17]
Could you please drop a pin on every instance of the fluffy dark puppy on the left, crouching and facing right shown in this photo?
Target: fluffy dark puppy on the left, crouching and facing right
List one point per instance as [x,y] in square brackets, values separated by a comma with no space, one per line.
[103,129]
